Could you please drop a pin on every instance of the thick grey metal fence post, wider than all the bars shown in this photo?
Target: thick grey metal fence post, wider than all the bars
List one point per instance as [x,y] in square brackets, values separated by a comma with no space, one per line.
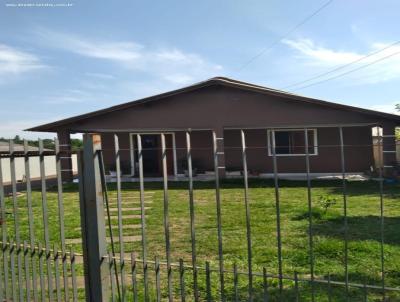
[92,221]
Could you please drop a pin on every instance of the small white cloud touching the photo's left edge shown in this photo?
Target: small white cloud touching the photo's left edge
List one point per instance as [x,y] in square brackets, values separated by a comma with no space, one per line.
[14,61]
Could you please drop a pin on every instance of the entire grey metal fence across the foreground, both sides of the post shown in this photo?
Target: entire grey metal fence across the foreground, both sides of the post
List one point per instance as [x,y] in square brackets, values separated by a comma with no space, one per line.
[42,228]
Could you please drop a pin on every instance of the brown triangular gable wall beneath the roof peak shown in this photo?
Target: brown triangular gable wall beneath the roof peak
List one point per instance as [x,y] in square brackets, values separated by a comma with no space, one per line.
[219,107]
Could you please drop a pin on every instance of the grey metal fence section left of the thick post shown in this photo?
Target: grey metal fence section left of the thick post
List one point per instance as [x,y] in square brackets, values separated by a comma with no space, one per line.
[36,264]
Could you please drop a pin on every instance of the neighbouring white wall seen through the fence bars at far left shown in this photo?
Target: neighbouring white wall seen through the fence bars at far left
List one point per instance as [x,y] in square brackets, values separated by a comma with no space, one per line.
[49,163]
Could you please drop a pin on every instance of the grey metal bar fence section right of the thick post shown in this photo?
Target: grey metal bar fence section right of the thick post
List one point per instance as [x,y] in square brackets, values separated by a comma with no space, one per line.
[216,279]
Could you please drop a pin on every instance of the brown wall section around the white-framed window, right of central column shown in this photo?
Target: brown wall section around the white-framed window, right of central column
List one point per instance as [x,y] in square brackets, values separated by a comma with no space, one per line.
[358,152]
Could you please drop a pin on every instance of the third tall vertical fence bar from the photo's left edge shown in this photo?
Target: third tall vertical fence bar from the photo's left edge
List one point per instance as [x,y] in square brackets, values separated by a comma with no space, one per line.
[30,219]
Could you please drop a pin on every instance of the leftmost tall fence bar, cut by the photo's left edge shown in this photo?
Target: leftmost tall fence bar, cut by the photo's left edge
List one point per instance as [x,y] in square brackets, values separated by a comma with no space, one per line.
[4,236]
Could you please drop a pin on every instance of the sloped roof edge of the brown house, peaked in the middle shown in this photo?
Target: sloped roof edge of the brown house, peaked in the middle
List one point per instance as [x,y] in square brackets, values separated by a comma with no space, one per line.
[213,81]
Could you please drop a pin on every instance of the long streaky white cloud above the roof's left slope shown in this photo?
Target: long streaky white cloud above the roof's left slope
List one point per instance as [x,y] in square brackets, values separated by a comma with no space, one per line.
[171,64]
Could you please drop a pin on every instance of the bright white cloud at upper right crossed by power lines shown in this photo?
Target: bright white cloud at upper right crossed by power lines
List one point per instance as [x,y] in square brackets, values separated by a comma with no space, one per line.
[322,59]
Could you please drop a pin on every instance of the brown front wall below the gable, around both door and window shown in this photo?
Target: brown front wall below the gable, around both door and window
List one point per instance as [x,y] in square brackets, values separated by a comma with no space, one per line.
[358,152]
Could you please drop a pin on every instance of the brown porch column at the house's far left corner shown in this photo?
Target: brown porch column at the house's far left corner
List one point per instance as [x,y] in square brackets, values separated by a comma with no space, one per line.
[66,155]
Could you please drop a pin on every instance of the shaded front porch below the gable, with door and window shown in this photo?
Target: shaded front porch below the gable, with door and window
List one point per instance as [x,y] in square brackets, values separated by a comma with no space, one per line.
[362,156]
